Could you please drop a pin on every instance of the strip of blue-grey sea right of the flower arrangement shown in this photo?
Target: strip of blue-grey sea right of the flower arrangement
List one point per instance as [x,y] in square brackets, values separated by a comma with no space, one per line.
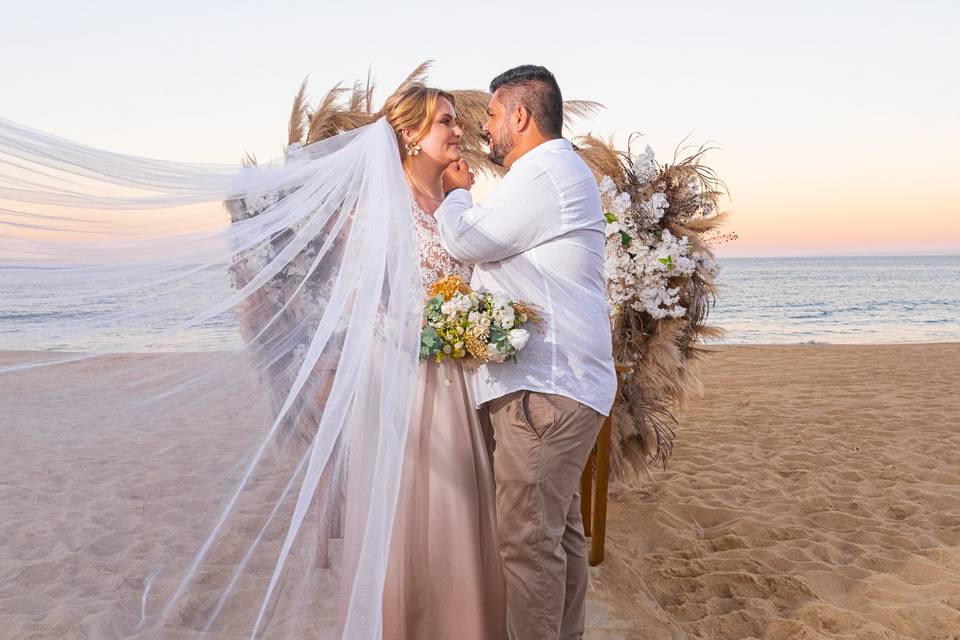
[829,300]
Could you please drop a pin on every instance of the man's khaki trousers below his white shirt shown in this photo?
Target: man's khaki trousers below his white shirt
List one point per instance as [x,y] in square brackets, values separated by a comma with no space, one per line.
[541,443]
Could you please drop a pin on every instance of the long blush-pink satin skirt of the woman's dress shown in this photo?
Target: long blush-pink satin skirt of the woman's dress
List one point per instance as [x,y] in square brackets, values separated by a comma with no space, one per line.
[444,580]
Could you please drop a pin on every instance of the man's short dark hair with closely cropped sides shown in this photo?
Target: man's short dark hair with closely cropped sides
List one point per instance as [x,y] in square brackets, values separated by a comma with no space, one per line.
[535,88]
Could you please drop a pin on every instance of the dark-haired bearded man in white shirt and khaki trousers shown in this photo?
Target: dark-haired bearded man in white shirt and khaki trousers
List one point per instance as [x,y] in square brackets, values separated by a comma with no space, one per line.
[539,238]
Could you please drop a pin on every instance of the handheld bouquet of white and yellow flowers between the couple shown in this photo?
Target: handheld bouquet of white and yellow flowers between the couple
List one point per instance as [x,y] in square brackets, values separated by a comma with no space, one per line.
[479,326]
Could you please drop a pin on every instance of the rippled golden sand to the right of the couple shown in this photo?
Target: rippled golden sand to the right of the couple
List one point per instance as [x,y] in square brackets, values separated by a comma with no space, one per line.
[814,492]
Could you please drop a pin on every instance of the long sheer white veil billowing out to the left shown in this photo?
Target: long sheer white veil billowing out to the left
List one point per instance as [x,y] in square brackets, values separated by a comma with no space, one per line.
[208,374]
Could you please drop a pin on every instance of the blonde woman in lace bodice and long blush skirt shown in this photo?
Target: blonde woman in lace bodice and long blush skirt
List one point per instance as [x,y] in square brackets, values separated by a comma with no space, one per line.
[444,578]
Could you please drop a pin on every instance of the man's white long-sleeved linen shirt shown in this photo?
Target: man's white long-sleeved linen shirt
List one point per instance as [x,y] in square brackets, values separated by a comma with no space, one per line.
[539,239]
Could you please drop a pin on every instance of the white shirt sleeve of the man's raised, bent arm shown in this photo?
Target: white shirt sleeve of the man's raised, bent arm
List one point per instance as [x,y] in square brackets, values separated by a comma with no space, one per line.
[522,213]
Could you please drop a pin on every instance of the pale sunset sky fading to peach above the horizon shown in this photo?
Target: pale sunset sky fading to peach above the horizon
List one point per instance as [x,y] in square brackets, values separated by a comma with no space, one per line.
[837,123]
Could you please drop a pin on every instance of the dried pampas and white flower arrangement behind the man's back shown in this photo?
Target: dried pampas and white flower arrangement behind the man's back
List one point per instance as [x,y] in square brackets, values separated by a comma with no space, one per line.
[662,222]
